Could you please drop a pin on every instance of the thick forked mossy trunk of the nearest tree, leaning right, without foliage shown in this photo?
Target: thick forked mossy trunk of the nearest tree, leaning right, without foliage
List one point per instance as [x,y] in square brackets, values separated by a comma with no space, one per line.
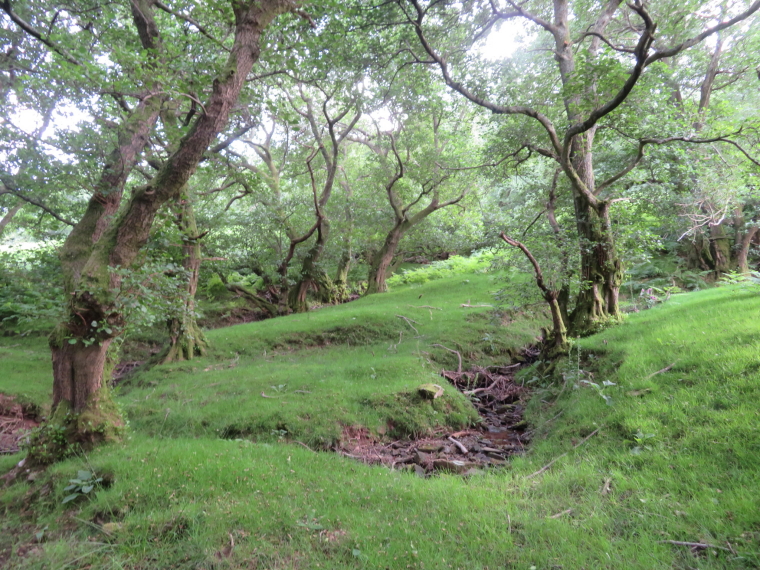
[104,240]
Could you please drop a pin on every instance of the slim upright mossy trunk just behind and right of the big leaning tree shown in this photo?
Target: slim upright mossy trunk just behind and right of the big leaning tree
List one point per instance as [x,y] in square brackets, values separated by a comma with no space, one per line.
[186,339]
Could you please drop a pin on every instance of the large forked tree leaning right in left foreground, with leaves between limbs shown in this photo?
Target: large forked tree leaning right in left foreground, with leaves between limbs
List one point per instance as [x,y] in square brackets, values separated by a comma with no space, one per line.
[144,54]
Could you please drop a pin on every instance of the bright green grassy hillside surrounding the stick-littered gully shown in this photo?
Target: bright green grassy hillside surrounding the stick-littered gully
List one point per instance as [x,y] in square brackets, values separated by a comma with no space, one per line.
[650,435]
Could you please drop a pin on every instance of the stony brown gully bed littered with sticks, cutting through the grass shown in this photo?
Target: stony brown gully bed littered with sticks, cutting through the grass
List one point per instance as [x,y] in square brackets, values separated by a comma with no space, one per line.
[500,434]
